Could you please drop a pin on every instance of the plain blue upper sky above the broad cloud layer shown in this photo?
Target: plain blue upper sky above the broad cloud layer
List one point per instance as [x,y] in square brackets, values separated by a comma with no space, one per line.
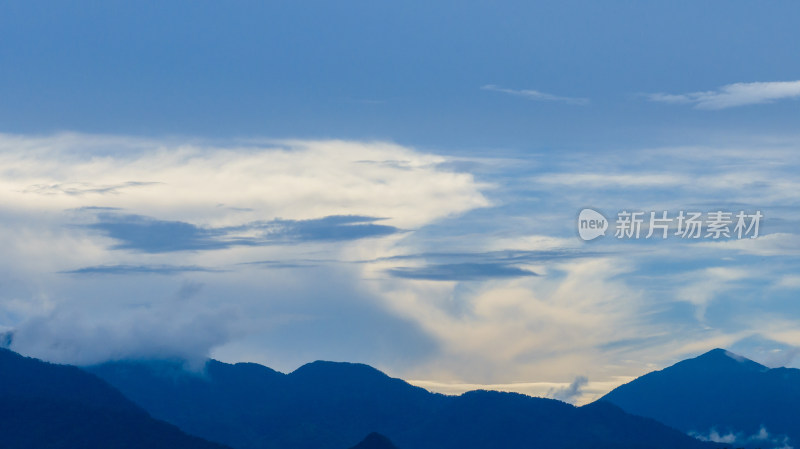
[409,72]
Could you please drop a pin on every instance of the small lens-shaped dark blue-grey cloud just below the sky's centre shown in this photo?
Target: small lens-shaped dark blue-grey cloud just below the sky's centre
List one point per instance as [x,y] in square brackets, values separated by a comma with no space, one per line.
[460,272]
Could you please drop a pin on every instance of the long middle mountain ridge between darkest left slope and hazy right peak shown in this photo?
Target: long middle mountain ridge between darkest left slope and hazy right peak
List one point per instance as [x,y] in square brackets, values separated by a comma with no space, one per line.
[325,405]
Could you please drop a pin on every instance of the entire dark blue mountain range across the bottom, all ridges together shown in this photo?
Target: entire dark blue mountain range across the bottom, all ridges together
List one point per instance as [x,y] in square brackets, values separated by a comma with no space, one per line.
[718,400]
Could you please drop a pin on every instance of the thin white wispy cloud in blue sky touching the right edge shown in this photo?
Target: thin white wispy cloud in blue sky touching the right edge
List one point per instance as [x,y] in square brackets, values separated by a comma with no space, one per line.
[733,95]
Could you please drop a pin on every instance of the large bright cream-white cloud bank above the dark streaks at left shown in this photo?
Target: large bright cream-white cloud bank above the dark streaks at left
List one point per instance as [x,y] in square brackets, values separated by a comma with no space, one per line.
[229,185]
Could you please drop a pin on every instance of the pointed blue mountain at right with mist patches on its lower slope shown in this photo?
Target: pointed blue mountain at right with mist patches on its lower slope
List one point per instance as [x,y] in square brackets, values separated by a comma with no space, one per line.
[722,396]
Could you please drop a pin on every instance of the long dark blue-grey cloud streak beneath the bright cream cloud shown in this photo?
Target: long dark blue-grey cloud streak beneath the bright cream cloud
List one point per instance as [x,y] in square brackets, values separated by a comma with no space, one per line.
[150,235]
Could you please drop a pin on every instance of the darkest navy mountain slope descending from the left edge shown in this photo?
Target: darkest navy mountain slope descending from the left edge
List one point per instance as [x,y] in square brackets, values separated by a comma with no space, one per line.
[46,406]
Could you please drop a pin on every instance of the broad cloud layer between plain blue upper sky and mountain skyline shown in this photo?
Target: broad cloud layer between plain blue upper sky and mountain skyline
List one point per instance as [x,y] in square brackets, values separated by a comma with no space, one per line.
[452,271]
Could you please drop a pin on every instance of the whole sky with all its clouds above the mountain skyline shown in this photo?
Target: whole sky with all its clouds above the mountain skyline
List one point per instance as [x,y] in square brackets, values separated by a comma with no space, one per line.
[399,184]
